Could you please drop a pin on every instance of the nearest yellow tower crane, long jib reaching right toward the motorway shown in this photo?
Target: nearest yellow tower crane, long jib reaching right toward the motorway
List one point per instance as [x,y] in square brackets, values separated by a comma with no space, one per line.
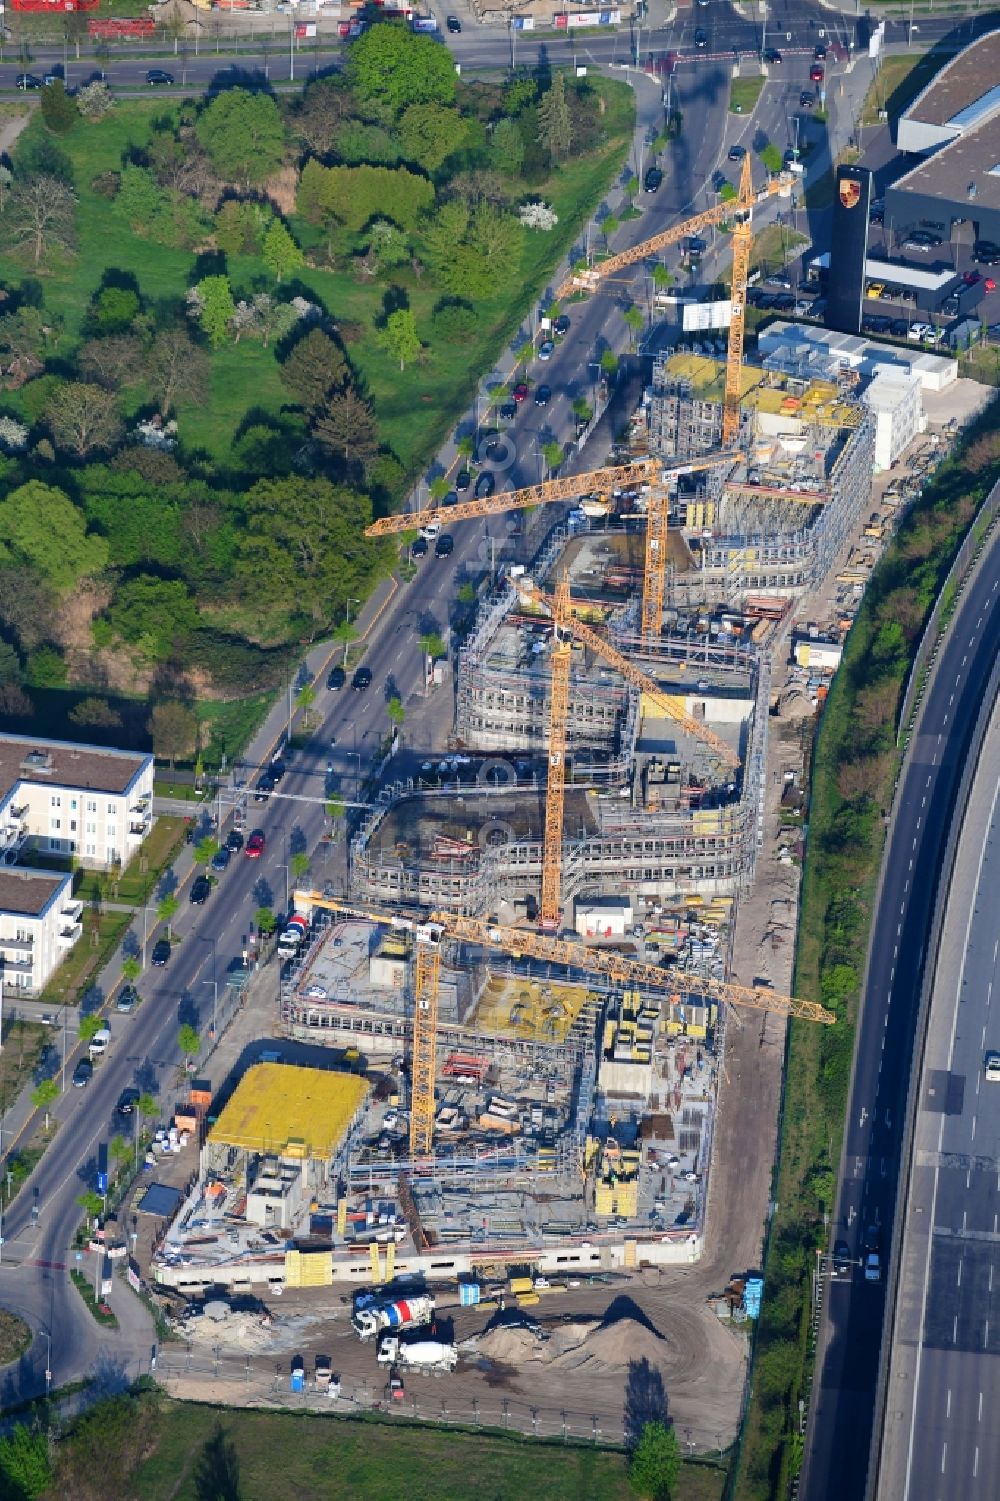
[432,930]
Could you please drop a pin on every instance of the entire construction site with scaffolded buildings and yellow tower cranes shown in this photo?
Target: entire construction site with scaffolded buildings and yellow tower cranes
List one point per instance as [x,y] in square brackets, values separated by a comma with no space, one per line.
[516,1018]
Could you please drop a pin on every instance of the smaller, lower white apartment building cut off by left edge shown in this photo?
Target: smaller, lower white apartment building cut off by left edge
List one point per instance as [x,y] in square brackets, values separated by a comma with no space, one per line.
[40,924]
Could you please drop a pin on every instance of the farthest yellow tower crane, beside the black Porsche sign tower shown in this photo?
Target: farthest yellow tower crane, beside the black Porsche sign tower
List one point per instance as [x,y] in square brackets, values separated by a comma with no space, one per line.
[742,206]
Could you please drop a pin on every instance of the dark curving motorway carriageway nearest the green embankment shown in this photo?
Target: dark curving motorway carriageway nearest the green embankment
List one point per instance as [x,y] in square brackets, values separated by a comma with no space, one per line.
[842,1418]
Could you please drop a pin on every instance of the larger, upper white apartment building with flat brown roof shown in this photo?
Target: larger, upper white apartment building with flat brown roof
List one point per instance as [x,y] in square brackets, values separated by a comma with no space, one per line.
[74,801]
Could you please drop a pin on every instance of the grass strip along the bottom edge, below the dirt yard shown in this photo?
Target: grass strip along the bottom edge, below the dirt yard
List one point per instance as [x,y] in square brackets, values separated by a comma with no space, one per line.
[360,1461]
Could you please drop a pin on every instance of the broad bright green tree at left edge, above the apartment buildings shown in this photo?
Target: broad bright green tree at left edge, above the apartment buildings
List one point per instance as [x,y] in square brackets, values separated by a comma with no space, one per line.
[43,528]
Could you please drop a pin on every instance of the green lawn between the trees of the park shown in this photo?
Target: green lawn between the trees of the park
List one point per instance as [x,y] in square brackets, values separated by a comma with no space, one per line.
[417,408]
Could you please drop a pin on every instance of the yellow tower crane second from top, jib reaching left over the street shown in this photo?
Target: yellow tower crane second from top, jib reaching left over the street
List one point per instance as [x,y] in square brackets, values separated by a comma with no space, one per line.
[652,472]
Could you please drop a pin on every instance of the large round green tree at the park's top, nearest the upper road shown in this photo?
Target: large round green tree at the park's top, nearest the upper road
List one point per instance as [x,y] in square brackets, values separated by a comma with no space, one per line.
[391,70]
